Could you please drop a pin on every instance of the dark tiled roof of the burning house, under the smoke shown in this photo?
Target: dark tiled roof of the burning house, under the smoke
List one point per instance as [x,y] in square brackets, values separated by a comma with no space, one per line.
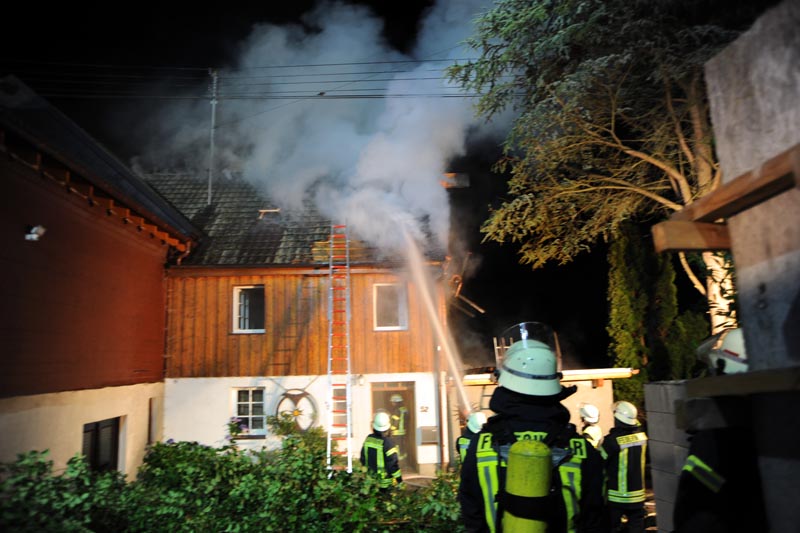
[244,227]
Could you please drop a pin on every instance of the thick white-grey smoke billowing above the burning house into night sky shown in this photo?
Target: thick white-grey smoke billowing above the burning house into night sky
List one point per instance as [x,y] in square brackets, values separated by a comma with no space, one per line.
[372,163]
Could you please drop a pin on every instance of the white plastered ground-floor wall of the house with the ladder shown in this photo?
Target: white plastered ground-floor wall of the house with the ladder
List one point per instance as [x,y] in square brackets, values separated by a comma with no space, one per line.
[198,409]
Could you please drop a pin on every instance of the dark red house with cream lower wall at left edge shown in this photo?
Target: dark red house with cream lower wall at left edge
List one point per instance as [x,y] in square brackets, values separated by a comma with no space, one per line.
[84,243]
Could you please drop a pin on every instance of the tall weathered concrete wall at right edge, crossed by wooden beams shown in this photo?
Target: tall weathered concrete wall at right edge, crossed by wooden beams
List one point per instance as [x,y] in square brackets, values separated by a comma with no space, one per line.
[754,94]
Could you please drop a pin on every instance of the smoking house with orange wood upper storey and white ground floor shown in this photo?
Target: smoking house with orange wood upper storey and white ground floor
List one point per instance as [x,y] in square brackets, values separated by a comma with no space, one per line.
[249,334]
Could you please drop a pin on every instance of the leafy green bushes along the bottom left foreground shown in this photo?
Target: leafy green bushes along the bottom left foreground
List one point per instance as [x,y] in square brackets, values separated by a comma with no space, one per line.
[186,486]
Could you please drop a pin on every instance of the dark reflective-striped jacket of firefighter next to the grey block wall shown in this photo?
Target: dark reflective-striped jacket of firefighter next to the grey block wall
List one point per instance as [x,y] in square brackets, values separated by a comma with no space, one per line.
[625,451]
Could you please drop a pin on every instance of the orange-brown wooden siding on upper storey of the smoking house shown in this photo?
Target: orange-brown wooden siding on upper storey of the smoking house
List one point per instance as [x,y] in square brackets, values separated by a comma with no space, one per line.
[200,341]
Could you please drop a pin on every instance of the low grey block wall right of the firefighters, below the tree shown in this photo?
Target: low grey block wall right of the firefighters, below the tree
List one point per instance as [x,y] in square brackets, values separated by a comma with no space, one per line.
[668,446]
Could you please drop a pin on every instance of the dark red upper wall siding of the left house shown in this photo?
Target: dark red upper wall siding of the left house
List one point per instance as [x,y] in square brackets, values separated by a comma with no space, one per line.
[84,306]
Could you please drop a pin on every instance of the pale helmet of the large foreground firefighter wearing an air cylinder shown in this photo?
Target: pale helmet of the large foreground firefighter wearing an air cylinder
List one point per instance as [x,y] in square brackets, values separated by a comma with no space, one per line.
[529,367]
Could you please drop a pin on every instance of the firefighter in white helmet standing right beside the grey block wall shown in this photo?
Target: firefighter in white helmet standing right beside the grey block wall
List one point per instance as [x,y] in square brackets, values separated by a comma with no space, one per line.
[625,449]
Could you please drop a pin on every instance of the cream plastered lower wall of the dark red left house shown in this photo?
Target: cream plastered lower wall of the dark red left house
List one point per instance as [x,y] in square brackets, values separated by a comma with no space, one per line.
[55,422]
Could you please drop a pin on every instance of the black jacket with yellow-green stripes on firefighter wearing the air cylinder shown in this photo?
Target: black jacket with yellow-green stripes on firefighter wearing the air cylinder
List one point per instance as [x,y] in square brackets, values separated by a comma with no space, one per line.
[576,502]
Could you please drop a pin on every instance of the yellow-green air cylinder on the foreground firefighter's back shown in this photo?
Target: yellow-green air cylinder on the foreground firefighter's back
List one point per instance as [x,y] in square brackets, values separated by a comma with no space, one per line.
[528,475]
